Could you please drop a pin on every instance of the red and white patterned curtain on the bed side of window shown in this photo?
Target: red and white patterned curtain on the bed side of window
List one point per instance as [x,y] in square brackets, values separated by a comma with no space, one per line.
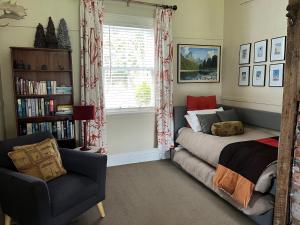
[164,78]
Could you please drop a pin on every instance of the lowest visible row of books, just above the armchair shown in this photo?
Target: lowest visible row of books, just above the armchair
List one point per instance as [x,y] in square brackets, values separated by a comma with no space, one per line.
[59,129]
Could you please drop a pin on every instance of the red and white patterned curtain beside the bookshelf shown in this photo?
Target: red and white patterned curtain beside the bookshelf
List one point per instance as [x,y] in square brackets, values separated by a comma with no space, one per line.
[91,79]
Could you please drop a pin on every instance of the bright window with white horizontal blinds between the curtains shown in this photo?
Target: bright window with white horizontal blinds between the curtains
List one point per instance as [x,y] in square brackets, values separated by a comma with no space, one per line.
[128,65]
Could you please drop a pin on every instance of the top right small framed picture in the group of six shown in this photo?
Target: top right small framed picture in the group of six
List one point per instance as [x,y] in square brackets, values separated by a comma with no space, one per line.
[278,49]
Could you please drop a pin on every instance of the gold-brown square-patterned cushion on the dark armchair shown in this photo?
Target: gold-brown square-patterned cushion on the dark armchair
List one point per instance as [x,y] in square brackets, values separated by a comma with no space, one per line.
[41,160]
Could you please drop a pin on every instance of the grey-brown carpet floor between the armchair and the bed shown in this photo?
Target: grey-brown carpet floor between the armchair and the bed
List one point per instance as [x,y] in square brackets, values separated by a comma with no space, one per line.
[158,193]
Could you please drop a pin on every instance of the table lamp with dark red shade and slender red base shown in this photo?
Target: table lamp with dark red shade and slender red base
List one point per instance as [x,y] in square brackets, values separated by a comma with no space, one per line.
[84,113]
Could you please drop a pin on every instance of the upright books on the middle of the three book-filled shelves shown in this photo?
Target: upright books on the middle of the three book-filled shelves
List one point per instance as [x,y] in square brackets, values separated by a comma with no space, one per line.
[31,107]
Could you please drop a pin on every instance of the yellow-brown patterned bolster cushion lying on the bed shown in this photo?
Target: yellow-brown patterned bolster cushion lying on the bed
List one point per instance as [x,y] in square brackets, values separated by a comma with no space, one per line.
[228,128]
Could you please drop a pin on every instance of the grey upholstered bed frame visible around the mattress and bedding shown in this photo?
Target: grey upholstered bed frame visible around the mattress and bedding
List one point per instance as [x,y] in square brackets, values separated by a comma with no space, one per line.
[259,118]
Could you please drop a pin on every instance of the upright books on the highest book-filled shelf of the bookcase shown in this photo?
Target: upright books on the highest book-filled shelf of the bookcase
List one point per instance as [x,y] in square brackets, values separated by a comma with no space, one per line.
[31,87]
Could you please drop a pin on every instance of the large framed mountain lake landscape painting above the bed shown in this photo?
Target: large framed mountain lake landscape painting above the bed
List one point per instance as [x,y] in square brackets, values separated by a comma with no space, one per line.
[198,63]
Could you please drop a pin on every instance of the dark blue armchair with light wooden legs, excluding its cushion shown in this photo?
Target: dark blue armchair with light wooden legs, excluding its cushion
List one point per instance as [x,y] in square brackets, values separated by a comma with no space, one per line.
[32,201]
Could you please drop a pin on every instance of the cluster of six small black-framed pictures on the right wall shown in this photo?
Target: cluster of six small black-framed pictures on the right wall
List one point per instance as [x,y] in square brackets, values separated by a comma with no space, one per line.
[260,55]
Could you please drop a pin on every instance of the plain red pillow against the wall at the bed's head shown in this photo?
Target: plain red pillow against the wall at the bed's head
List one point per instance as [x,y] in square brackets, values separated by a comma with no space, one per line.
[201,102]
